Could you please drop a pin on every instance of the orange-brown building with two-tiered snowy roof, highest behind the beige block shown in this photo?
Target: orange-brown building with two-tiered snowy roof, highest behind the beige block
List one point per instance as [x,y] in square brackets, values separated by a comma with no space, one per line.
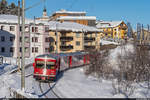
[73,16]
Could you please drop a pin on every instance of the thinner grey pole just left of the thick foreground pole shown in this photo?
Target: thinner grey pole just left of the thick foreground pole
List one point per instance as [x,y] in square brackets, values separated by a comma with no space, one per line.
[18,36]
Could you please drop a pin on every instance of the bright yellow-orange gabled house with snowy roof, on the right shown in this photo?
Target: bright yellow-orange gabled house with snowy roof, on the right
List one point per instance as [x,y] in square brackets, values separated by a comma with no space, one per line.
[113,29]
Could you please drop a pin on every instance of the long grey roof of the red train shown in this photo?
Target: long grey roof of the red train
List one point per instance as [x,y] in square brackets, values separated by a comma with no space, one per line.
[58,55]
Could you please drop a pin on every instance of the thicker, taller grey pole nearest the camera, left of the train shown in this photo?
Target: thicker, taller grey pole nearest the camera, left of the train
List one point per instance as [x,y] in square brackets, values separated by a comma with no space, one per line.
[23,48]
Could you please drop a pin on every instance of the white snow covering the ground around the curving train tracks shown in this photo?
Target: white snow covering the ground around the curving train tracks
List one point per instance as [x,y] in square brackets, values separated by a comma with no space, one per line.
[70,84]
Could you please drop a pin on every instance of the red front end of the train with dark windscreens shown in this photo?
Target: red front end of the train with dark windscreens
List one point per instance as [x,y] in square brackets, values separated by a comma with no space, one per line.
[44,68]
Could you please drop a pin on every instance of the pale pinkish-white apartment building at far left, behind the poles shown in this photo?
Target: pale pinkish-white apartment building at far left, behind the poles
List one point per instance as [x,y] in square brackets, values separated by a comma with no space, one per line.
[10,37]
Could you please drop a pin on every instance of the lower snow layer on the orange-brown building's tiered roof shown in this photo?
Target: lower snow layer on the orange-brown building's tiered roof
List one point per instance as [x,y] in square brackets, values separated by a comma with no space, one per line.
[76,18]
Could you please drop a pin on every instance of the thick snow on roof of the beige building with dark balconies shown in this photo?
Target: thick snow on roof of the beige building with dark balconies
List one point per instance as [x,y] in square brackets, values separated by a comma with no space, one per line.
[71,26]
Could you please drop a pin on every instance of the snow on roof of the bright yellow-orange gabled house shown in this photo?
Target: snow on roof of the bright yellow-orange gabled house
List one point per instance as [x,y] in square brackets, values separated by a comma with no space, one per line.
[106,24]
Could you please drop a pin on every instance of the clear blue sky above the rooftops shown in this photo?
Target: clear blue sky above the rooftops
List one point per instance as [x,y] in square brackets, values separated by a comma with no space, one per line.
[133,11]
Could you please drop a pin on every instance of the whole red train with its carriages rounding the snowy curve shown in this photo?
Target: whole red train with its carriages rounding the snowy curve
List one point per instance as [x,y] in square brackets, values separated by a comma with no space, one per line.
[47,66]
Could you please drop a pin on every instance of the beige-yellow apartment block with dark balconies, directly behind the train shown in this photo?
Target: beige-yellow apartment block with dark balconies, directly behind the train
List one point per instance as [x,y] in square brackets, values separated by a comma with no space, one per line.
[71,37]
